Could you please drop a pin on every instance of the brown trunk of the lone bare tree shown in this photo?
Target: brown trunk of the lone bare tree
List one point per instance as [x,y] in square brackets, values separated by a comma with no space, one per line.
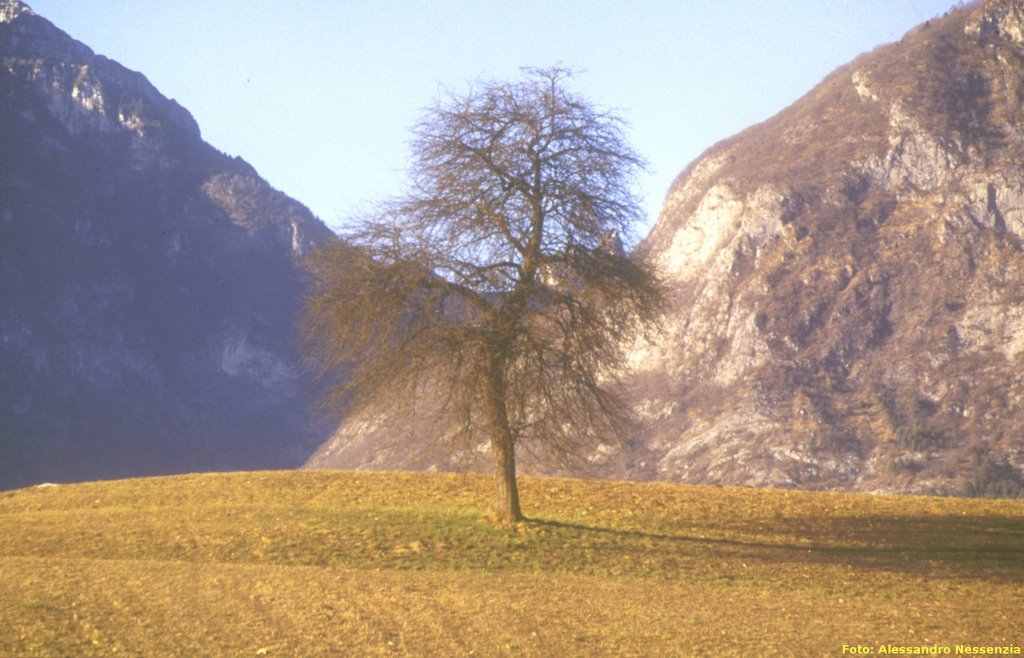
[507,510]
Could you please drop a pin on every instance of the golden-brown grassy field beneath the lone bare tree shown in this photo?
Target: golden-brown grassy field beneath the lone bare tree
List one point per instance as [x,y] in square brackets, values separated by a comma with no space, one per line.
[335,563]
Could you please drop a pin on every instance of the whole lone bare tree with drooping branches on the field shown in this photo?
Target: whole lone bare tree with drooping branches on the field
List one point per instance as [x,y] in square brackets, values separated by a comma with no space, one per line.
[498,285]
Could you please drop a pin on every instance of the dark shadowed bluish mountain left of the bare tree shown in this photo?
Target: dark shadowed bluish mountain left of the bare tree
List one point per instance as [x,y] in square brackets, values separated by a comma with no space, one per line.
[149,284]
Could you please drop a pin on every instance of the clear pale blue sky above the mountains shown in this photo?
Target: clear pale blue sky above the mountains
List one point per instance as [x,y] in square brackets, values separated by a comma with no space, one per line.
[320,95]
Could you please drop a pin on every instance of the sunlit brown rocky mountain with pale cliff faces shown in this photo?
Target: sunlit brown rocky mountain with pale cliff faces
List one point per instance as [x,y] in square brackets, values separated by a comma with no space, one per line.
[848,287]
